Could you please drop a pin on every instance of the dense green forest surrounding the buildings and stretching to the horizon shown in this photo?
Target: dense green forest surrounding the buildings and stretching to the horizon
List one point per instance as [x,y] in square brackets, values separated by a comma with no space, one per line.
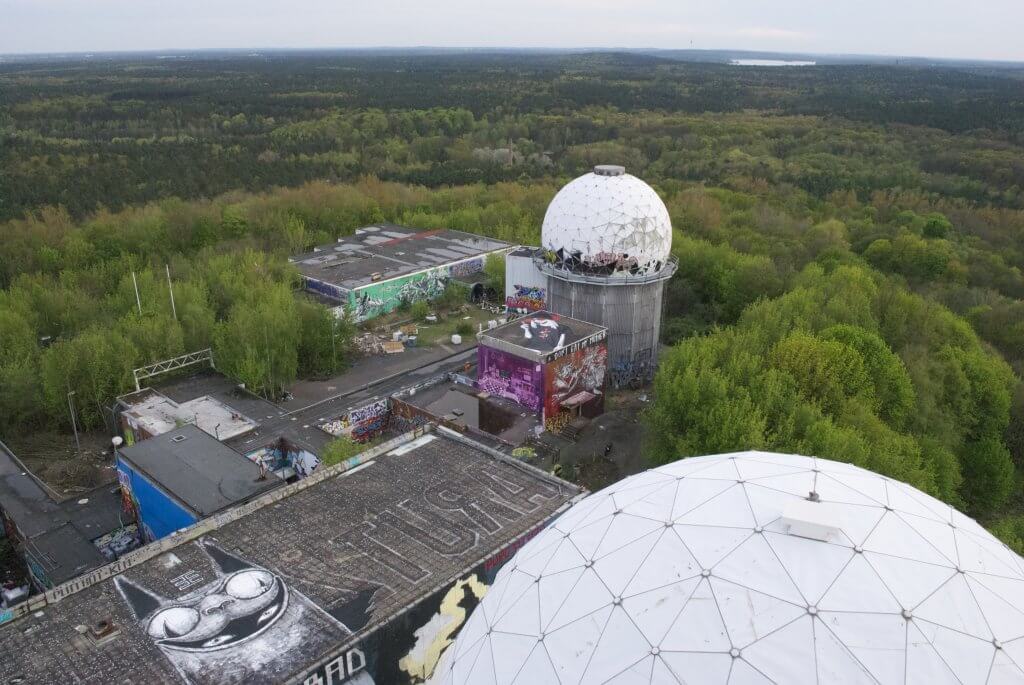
[851,239]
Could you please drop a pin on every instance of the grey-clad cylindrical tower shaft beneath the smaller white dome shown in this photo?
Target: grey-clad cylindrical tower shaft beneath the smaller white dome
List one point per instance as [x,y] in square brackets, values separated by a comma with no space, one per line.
[632,315]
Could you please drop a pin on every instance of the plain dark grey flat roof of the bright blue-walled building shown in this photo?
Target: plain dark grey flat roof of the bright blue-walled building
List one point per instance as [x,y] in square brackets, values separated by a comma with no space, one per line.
[198,469]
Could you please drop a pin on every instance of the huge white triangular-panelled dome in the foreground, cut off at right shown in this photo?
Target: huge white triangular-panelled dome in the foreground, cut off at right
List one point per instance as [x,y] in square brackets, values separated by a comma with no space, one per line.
[752,568]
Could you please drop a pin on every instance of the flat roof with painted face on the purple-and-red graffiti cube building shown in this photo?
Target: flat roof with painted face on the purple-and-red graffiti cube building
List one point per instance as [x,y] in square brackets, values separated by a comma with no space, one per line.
[541,335]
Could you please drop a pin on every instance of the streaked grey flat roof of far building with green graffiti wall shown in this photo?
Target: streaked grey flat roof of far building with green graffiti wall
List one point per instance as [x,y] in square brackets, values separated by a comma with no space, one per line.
[391,251]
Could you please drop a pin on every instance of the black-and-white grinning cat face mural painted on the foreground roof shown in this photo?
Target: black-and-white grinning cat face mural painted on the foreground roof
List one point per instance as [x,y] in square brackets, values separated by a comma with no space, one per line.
[235,619]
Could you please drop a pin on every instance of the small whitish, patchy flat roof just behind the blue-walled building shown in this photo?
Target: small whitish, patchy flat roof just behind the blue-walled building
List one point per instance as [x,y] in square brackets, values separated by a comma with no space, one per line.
[158,414]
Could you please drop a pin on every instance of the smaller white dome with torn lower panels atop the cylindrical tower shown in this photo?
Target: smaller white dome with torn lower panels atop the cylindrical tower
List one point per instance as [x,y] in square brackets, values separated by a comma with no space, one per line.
[609,221]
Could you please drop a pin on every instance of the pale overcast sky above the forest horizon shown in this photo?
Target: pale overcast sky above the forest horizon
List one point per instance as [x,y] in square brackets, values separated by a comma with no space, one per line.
[979,29]
